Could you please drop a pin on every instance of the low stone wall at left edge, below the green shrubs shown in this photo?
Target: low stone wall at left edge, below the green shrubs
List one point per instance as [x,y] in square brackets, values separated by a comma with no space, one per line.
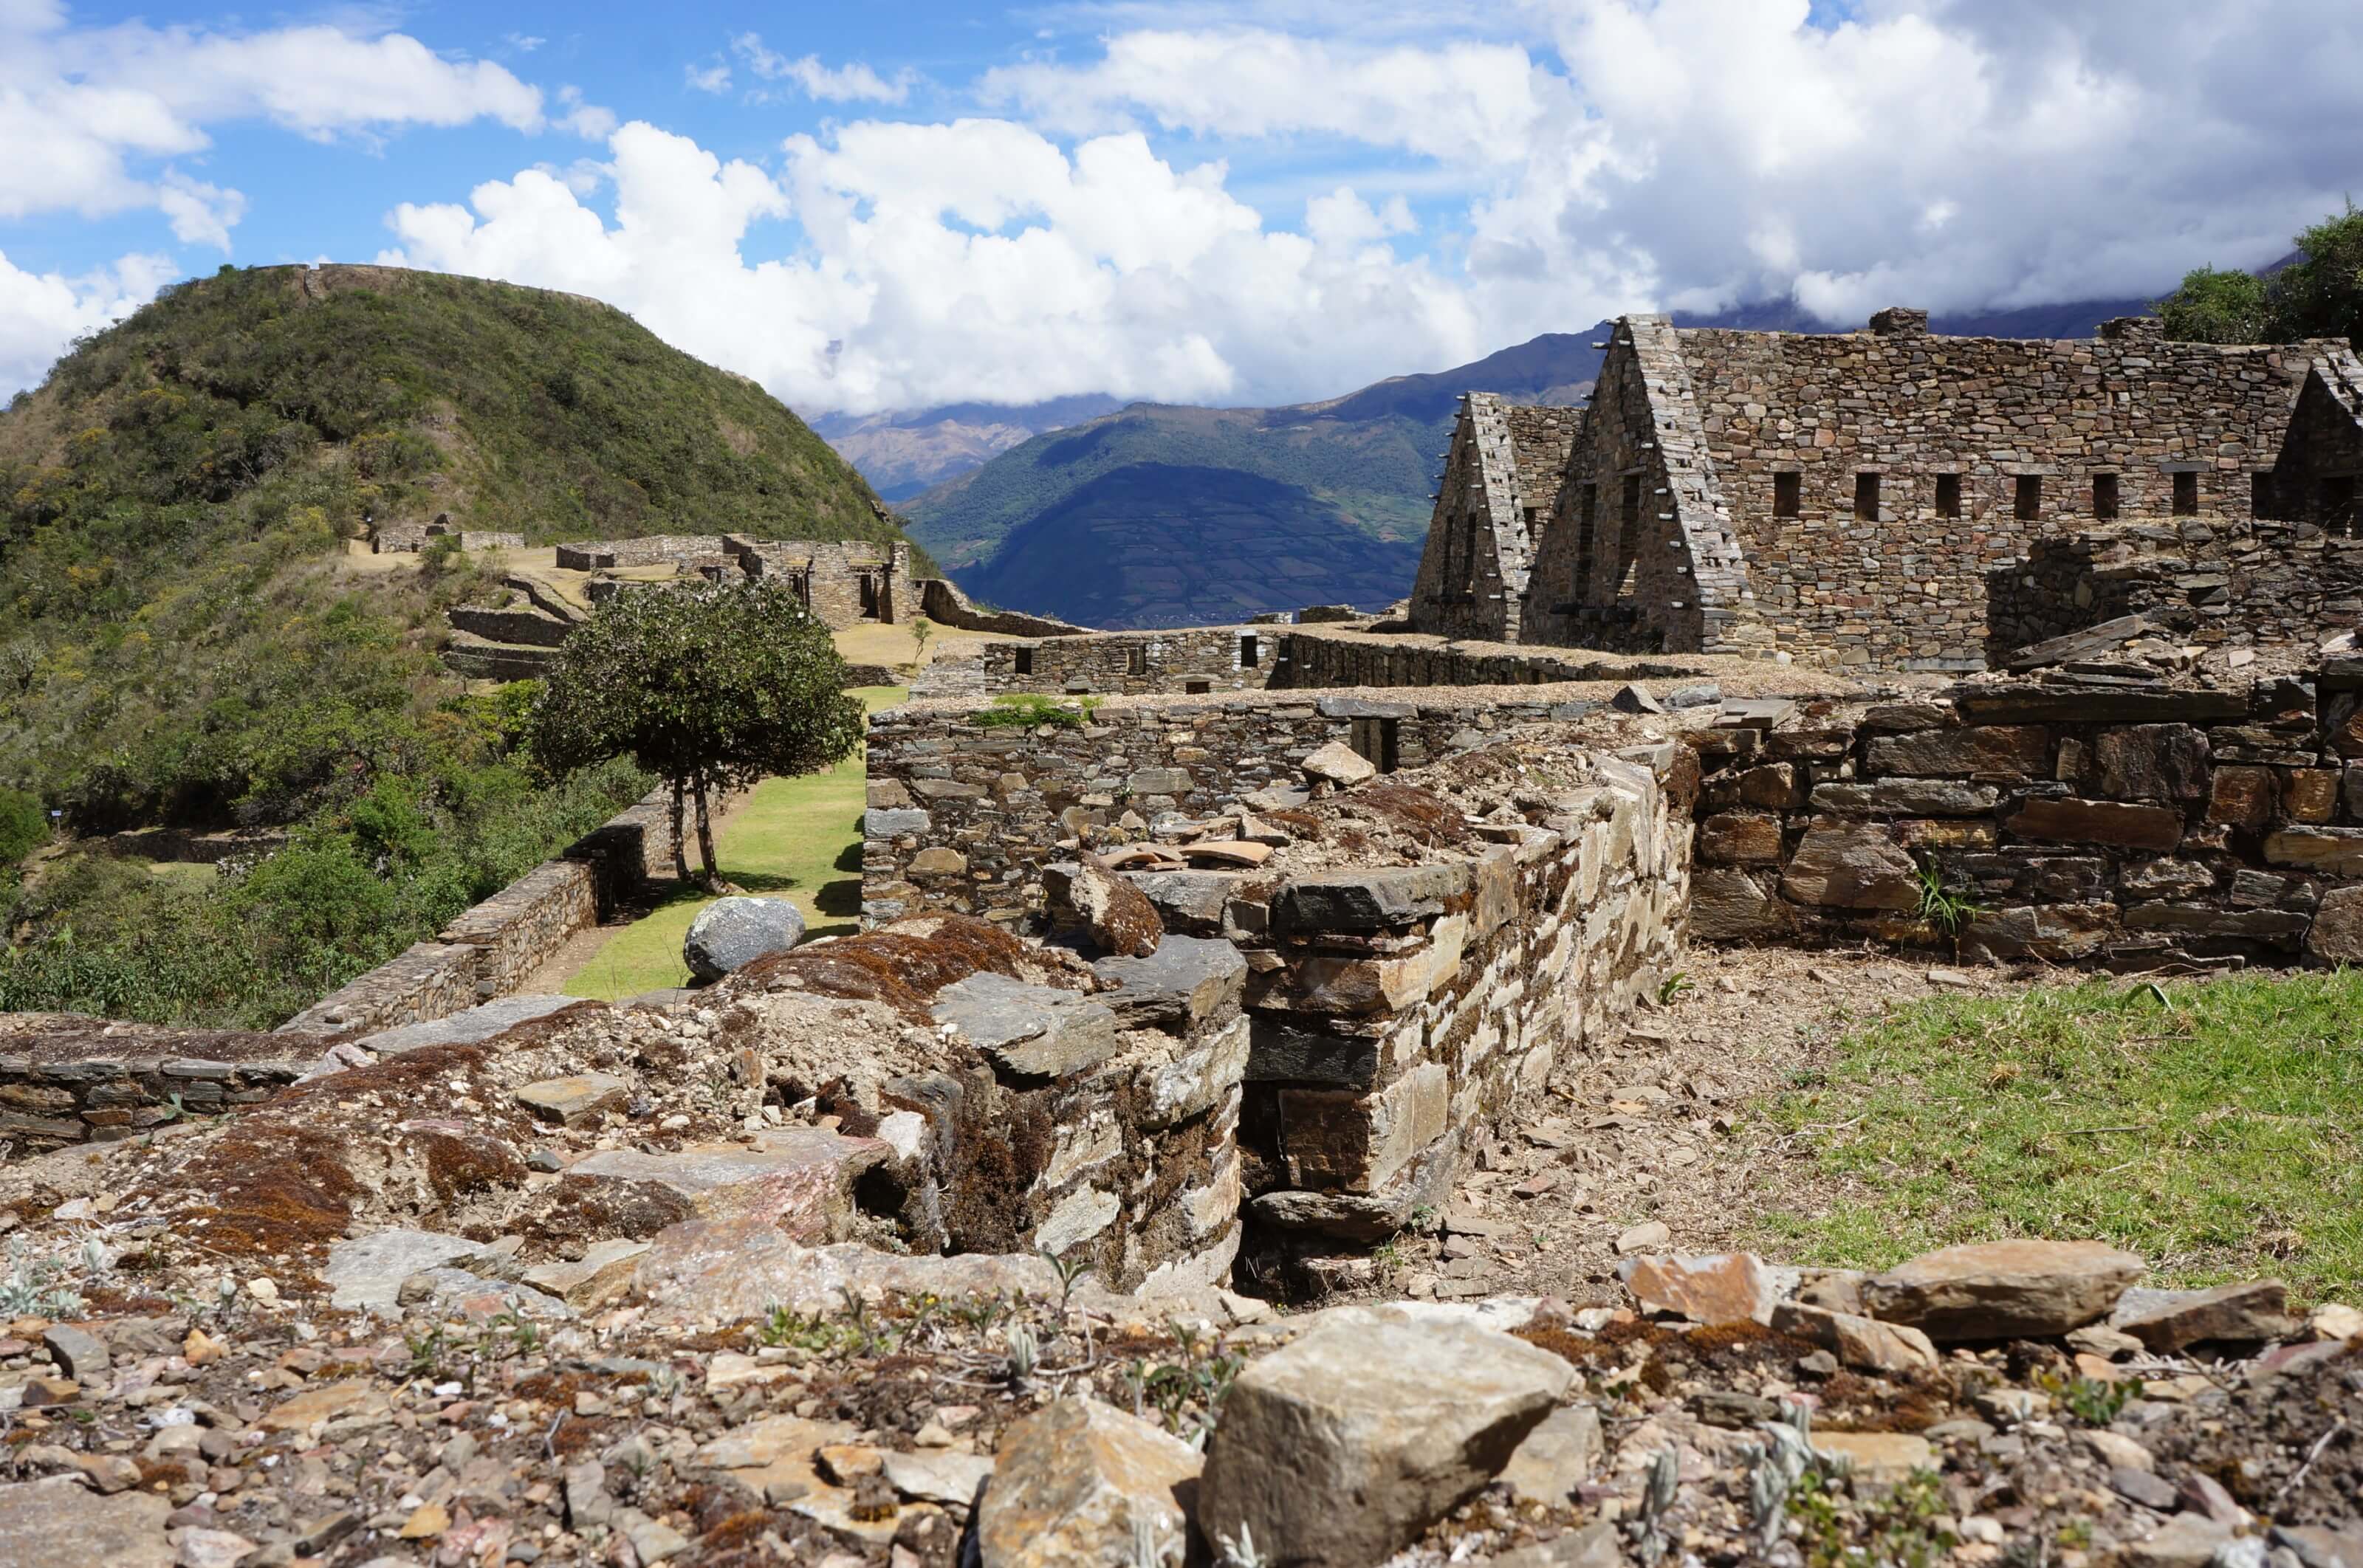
[86,1080]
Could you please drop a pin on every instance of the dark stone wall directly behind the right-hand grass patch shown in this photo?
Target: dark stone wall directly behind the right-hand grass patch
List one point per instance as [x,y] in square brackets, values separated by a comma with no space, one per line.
[2109,825]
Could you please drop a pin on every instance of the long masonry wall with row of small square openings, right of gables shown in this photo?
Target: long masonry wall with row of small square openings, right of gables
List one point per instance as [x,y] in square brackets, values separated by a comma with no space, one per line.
[1906,587]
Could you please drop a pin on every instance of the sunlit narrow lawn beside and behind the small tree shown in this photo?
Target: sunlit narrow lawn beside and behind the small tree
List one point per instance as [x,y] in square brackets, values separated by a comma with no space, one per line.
[798,839]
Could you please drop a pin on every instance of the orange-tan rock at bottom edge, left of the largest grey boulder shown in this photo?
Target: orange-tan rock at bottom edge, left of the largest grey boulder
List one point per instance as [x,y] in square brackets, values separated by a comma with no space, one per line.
[1083,1484]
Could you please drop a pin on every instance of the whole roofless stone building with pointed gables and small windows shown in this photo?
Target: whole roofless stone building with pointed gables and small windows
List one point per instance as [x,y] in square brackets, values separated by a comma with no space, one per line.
[1892,499]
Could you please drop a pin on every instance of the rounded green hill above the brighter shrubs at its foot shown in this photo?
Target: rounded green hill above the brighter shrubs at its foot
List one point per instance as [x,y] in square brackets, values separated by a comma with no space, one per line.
[176,615]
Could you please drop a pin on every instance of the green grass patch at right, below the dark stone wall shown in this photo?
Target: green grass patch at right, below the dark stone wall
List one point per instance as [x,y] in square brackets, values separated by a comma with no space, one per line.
[2218,1130]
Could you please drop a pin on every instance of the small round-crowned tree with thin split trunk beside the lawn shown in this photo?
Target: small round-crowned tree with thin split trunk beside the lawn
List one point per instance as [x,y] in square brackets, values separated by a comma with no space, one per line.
[708,688]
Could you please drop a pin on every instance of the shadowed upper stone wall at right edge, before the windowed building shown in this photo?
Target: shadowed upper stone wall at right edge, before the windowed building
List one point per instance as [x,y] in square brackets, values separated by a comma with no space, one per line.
[2267,584]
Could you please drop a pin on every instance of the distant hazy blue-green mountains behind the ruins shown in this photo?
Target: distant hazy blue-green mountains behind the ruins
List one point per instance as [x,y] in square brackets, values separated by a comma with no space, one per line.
[1180,516]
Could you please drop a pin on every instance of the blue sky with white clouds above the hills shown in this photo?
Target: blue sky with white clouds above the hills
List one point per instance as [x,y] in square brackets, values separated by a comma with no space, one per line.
[909,204]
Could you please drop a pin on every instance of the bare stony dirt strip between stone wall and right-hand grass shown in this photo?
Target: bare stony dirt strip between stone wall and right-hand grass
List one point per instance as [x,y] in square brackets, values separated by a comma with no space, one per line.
[1658,1128]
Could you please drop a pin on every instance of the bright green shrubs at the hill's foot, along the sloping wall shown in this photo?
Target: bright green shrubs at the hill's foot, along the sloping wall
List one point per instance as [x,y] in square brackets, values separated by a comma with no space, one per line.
[356,887]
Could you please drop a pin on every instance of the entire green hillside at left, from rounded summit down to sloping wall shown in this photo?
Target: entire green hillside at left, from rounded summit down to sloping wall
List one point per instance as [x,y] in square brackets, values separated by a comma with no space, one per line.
[188,636]
